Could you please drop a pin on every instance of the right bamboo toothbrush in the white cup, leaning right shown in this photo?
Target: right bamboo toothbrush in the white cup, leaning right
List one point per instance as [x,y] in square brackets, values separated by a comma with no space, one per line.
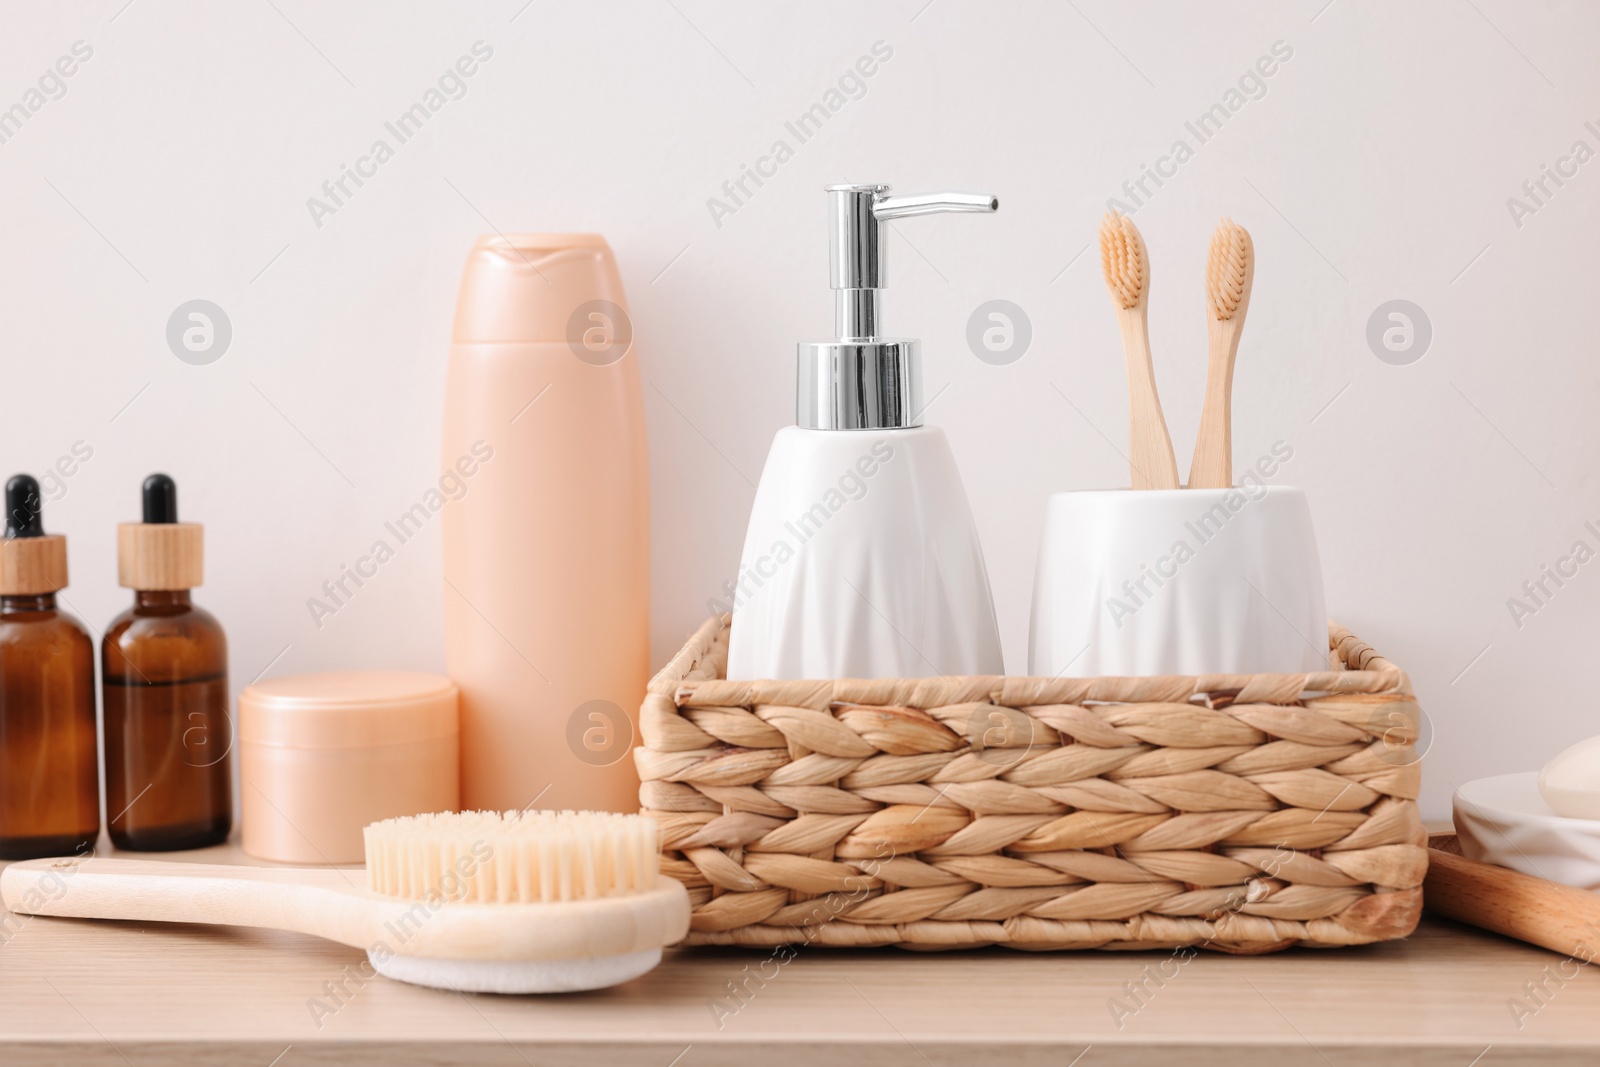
[1230,274]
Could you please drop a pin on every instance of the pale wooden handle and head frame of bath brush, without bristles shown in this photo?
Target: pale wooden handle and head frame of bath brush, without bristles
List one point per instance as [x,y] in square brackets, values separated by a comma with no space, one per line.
[337,905]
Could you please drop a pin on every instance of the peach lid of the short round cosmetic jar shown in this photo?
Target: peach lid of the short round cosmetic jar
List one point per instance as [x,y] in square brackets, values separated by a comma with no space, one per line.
[348,709]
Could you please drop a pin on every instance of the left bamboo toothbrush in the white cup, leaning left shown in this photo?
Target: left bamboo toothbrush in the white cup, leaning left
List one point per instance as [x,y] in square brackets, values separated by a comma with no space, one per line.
[1129,279]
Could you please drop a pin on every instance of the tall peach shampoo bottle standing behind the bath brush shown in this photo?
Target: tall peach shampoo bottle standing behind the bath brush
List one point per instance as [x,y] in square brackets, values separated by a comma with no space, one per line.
[548,549]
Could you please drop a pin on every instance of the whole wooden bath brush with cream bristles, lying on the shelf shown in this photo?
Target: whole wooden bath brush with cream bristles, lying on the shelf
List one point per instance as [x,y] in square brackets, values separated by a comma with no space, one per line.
[479,901]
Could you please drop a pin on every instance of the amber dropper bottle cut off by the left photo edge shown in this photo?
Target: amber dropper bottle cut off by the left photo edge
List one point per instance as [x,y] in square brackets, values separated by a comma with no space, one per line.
[49,767]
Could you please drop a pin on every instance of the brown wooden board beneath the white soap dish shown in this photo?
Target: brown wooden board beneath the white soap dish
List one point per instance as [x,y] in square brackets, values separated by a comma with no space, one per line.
[1511,903]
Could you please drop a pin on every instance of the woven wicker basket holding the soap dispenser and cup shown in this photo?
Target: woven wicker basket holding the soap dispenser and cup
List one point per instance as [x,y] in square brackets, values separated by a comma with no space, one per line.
[1242,813]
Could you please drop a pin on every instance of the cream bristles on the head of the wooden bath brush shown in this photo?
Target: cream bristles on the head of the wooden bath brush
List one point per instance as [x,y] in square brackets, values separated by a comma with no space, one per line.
[514,857]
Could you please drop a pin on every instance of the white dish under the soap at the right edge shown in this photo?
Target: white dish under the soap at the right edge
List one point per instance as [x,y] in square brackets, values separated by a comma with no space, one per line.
[1505,821]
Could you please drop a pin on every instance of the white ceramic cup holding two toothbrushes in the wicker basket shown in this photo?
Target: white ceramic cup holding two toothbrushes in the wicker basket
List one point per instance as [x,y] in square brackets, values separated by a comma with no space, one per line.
[1178,583]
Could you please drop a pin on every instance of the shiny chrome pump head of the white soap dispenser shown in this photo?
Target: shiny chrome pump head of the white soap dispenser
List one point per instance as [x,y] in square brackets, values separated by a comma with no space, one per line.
[865,382]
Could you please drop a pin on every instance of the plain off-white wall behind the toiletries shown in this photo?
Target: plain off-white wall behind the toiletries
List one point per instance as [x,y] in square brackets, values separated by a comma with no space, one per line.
[1377,166]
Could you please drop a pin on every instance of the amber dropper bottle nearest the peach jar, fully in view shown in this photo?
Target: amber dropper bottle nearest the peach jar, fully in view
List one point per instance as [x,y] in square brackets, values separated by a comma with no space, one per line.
[164,669]
